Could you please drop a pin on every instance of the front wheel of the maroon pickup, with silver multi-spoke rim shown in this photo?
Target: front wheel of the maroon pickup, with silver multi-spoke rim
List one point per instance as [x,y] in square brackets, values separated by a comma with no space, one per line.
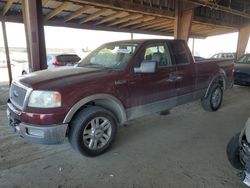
[92,131]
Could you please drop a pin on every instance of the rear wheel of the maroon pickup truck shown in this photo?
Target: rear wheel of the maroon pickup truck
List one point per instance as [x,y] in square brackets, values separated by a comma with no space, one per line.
[214,98]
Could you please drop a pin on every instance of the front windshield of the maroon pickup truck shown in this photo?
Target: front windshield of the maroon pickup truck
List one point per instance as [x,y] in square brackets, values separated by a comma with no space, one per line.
[114,56]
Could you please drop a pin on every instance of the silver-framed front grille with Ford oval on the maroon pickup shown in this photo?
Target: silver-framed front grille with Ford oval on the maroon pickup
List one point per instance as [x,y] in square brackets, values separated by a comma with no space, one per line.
[17,95]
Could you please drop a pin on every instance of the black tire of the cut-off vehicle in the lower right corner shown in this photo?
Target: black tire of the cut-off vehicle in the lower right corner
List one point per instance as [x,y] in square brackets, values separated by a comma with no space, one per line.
[233,152]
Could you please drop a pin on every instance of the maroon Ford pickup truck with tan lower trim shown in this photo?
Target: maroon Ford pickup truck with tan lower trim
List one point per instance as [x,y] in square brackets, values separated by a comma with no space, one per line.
[117,82]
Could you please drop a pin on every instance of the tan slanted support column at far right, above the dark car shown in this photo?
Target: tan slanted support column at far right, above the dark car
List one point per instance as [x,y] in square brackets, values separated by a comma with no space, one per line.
[243,38]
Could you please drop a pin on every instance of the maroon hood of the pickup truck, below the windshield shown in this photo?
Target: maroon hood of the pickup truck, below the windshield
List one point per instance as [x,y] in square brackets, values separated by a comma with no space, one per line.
[59,77]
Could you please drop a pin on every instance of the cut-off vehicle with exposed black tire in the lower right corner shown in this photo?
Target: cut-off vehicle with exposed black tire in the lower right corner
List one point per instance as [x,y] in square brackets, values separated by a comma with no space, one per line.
[238,152]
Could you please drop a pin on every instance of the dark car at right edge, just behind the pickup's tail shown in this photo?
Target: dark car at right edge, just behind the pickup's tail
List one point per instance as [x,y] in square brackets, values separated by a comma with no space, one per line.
[242,70]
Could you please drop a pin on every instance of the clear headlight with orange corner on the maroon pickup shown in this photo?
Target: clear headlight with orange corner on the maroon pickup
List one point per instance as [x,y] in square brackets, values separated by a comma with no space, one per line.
[44,99]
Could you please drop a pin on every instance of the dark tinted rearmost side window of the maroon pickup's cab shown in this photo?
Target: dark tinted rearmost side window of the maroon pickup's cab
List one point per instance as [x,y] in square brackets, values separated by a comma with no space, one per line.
[179,52]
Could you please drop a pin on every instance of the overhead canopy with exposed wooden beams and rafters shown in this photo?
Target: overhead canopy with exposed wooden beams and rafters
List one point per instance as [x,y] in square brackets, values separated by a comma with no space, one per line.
[141,16]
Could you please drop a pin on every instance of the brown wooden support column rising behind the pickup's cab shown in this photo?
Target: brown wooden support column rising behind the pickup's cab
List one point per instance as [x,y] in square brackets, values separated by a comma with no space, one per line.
[183,19]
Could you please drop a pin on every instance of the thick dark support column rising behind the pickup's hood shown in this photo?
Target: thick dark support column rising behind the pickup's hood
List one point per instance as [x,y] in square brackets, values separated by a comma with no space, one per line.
[34,27]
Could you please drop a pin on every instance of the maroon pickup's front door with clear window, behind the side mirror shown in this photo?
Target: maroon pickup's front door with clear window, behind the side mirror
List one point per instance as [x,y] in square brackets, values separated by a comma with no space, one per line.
[146,88]
